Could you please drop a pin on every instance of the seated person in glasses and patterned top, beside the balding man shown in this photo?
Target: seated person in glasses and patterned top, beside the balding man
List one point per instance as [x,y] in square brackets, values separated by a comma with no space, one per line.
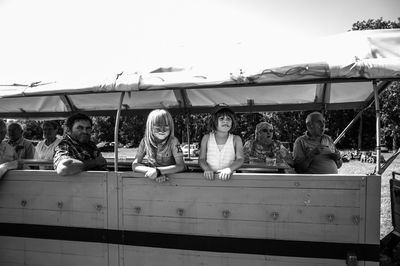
[263,148]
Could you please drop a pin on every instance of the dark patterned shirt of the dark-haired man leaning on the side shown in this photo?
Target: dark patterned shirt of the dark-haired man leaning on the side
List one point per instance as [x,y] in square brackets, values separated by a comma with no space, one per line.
[70,148]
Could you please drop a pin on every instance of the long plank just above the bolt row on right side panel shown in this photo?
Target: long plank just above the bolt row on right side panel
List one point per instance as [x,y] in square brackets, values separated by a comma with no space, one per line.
[313,197]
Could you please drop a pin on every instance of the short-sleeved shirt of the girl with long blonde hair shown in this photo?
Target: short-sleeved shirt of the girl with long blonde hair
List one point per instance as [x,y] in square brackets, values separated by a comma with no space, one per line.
[166,157]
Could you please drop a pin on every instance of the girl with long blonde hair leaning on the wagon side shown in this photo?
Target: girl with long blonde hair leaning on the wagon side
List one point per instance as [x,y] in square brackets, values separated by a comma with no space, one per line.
[164,154]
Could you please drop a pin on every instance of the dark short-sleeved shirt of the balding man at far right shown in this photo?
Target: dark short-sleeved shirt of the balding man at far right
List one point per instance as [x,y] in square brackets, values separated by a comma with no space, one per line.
[322,163]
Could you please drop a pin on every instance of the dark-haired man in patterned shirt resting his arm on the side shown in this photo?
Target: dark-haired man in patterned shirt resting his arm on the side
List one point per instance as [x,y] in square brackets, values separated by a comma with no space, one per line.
[76,152]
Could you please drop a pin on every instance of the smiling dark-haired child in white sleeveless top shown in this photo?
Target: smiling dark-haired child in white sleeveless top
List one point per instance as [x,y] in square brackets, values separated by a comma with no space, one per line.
[221,152]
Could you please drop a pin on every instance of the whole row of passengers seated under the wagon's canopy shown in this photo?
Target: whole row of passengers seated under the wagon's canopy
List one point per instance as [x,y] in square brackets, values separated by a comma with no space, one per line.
[160,154]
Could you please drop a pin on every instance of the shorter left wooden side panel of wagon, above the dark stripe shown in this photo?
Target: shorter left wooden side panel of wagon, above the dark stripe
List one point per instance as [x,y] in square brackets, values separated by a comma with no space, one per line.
[43,197]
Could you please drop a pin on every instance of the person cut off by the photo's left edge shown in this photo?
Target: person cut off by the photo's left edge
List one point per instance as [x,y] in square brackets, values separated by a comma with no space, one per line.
[8,157]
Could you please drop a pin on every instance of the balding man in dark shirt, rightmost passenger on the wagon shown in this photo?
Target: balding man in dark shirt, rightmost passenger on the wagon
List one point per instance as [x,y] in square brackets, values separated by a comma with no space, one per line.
[315,152]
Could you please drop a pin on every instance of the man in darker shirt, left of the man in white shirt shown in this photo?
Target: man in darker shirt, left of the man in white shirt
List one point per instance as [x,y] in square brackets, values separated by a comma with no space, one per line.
[23,147]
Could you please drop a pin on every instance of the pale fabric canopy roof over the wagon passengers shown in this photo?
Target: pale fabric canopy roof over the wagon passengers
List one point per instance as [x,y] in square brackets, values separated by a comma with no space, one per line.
[333,73]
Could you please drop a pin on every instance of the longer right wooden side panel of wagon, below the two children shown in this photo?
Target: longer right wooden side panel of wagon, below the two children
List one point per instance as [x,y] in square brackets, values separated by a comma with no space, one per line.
[266,206]
